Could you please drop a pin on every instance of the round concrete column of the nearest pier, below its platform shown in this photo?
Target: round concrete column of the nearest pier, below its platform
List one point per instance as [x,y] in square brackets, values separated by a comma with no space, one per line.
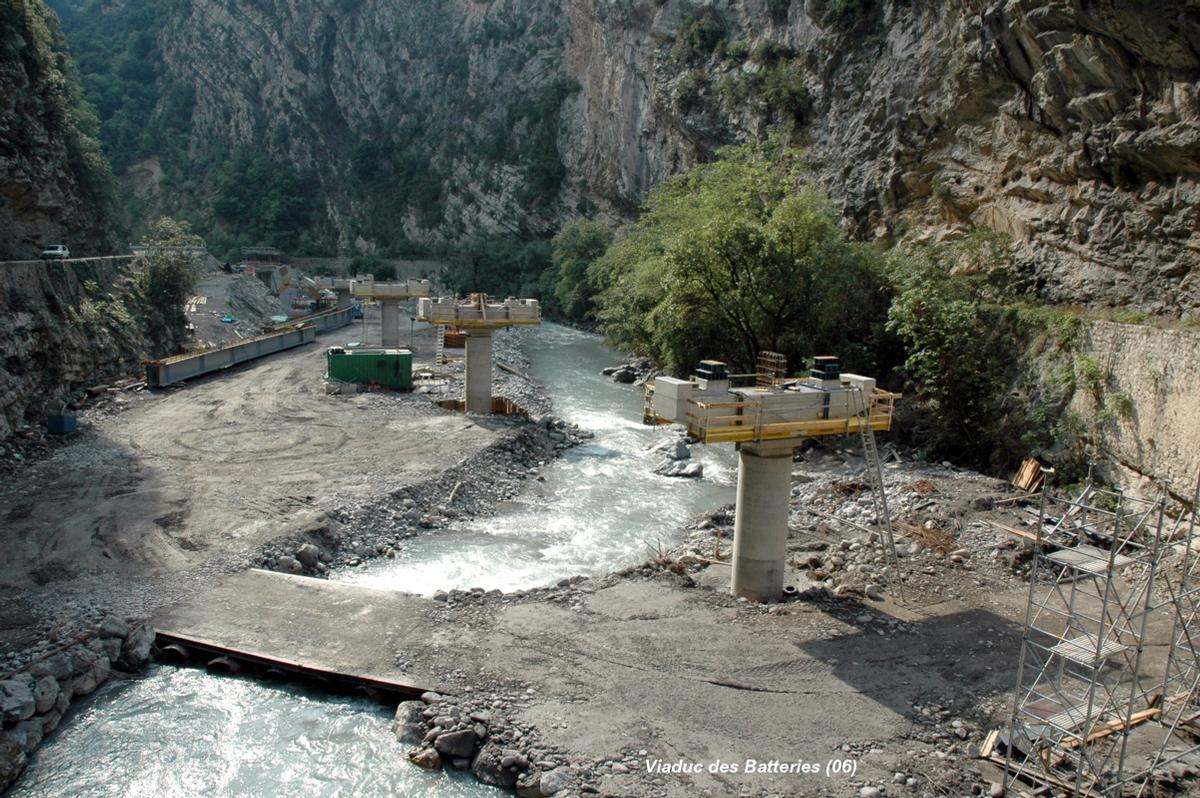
[760,526]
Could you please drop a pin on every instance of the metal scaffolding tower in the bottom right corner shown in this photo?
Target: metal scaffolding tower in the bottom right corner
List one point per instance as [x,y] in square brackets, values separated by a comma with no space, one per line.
[1091,717]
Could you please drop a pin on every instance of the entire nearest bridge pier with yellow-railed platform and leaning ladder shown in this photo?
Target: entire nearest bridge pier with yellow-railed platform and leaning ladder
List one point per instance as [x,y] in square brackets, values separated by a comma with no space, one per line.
[767,419]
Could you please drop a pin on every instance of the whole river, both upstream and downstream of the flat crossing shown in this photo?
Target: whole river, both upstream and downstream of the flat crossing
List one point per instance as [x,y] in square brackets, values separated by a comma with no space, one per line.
[185,733]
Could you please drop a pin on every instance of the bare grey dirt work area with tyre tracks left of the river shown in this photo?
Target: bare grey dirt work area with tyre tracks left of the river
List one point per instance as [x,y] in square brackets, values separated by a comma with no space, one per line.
[219,467]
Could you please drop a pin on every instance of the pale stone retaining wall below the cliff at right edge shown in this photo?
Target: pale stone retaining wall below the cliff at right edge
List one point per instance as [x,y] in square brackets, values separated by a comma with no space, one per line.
[1160,370]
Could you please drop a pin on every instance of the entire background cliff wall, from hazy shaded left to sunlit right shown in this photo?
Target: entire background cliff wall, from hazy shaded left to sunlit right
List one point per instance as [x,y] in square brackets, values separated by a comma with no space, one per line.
[1070,125]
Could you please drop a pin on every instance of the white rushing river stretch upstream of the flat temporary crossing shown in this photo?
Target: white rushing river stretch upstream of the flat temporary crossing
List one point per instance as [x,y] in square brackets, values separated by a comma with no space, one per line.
[601,507]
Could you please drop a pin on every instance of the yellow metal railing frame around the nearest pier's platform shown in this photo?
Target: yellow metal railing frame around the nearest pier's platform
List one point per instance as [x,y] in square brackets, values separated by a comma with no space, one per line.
[747,422]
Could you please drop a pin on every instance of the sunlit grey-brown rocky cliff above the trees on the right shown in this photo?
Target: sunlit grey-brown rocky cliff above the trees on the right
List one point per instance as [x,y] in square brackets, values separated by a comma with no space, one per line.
[1070,125]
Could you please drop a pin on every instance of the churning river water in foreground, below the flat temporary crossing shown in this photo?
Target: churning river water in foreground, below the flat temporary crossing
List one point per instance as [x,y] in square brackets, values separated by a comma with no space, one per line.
[182,733]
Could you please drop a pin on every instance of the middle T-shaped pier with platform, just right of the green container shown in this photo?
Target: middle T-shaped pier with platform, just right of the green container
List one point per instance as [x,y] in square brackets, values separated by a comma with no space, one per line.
[478,317]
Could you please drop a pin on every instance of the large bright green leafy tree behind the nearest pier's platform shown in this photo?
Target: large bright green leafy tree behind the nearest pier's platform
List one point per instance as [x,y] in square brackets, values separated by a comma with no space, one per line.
[733,259]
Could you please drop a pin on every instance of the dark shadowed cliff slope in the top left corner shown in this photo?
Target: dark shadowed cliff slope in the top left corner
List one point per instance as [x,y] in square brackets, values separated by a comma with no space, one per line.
[53,182]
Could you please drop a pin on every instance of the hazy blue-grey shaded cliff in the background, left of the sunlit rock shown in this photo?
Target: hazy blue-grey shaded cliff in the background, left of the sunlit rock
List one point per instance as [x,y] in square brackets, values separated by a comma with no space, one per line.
[423,121]
